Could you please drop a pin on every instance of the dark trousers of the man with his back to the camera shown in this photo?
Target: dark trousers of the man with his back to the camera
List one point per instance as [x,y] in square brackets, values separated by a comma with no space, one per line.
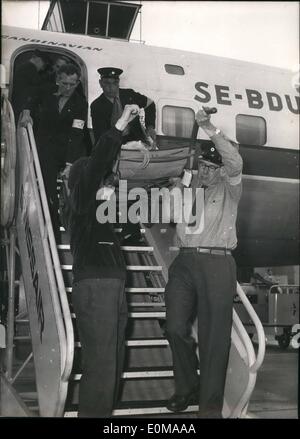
[101,314]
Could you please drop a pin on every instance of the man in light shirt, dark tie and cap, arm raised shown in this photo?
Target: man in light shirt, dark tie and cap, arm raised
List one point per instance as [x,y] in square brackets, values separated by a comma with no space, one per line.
[202,280]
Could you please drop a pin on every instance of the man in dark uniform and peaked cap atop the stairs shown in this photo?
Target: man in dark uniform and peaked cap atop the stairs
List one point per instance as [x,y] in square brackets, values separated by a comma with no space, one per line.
[108,107]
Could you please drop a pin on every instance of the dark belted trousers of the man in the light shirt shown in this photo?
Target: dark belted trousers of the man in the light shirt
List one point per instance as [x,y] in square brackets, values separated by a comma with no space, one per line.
[203,286]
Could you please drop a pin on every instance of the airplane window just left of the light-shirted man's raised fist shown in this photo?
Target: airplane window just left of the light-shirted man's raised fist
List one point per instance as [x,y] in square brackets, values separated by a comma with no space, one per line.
[177,121]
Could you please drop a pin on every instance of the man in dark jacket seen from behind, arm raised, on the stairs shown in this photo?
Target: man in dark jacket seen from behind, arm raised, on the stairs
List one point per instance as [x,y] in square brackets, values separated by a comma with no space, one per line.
[99,276]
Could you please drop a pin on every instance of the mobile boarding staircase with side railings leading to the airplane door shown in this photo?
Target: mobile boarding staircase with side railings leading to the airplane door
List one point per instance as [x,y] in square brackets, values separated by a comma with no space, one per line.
[46,283]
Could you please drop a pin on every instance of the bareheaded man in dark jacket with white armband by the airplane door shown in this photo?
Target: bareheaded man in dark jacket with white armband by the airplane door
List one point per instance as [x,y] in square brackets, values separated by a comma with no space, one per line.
[62,114]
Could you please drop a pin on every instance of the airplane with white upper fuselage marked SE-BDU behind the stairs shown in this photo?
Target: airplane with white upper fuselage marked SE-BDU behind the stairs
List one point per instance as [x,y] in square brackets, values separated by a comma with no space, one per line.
[258,107]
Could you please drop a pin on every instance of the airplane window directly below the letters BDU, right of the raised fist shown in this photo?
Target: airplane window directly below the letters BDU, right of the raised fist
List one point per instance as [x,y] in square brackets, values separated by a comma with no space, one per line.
[251,130]
